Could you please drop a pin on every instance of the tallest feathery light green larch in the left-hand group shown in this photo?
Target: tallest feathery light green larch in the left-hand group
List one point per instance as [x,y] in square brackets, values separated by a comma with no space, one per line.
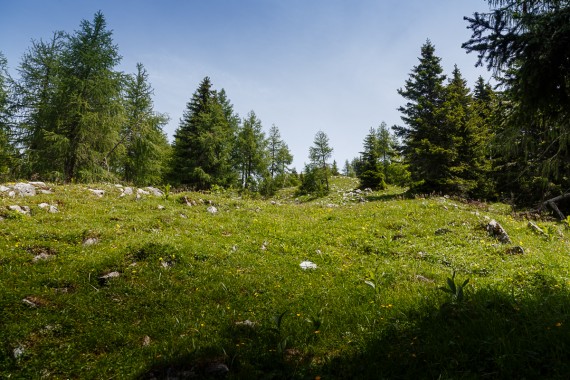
[91,107]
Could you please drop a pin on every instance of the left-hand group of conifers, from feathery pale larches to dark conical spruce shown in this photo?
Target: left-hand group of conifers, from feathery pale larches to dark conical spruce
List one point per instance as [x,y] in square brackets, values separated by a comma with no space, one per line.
[71,116]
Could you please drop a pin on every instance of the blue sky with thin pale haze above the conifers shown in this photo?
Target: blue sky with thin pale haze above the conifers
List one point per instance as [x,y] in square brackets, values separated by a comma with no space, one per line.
[303,65]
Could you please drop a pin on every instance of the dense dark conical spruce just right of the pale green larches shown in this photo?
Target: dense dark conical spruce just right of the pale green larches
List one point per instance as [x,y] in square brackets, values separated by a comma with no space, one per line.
[203,143]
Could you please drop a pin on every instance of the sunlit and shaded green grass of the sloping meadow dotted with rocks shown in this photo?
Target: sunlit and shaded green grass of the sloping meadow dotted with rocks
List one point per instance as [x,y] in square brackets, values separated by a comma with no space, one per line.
[190,282]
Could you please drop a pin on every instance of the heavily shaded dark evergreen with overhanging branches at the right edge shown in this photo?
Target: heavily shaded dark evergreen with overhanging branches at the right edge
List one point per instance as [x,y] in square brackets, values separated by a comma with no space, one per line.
[526,44]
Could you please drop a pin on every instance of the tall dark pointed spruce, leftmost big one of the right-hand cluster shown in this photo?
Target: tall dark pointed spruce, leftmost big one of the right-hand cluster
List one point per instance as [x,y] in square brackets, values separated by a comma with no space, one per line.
[426,144]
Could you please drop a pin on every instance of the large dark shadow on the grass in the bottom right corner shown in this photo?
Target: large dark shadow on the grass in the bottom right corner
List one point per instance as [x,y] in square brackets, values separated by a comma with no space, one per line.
[490,335]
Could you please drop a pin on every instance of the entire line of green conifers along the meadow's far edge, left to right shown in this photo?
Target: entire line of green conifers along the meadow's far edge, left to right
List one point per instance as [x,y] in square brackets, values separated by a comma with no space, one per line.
[71,116]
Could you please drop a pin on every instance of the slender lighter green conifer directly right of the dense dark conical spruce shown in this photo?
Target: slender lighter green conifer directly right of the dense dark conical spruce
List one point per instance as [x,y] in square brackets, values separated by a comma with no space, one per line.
[252,150]
